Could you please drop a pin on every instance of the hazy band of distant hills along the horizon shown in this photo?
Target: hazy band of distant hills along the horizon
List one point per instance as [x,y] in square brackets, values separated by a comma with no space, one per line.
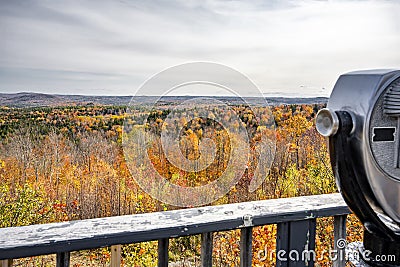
[26,99]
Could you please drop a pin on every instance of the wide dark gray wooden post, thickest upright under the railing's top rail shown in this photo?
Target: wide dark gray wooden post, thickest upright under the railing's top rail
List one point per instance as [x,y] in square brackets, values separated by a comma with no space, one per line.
[295,244]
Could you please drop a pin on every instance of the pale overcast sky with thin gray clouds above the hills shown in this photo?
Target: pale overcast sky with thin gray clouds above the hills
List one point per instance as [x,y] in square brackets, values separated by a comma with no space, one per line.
[295,48]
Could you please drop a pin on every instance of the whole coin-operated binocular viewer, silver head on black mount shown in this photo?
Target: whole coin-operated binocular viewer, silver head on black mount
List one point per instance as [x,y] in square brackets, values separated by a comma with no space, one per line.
[362,121]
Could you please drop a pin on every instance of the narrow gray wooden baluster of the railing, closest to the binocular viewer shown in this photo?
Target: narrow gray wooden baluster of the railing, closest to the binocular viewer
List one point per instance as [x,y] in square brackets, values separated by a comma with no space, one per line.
[340,239]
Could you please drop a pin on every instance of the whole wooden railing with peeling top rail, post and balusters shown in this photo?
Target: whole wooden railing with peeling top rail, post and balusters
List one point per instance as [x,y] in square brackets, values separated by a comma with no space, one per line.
[295,219]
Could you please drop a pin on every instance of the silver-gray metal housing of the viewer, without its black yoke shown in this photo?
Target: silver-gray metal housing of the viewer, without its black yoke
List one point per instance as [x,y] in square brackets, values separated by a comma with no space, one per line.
[361,94]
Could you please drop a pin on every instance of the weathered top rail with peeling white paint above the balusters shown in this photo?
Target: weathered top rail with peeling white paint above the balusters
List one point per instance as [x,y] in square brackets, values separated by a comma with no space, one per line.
[86,234]
